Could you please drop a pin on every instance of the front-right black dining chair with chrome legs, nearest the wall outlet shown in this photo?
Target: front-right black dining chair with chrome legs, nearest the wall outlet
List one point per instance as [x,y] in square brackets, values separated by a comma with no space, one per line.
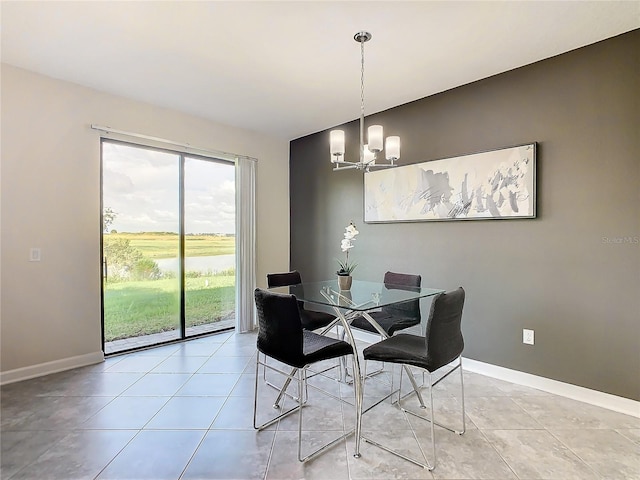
[440,347]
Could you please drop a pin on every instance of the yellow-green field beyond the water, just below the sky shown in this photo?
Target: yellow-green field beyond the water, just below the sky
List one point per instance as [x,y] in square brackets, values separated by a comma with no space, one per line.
[165,245]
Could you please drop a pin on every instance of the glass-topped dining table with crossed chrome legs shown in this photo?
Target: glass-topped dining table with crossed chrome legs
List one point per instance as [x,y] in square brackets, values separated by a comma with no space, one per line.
[362,298]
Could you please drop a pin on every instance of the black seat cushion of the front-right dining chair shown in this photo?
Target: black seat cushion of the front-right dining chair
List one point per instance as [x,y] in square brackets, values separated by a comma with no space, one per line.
[403,348]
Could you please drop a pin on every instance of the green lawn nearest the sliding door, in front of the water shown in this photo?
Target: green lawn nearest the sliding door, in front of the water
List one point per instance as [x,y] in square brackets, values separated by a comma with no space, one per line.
[141,308]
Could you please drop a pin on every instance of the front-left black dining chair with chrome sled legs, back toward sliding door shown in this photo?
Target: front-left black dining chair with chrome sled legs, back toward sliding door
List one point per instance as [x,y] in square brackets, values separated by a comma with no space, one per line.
[281,337]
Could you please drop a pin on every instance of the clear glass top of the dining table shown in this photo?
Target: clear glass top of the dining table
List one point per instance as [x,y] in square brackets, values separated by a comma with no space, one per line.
[362,296]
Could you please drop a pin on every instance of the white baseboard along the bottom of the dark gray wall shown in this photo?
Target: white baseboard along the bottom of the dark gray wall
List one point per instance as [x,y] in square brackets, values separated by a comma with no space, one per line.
[592,397]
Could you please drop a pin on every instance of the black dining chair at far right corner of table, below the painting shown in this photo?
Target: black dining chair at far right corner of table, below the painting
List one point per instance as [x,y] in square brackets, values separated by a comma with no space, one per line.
[398,316]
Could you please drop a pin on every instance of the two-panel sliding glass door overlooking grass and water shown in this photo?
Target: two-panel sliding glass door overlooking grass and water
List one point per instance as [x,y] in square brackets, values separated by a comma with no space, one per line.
[168,245]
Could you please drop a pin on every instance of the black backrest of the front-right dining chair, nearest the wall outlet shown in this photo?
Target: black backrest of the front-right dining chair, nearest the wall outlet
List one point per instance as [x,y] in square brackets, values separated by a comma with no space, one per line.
[444,340]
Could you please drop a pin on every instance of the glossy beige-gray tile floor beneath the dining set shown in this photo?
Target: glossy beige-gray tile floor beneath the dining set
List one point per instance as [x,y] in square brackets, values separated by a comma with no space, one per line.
[184,411]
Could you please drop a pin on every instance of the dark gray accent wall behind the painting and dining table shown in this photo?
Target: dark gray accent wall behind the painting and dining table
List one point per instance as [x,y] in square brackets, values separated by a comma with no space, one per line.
[572,274]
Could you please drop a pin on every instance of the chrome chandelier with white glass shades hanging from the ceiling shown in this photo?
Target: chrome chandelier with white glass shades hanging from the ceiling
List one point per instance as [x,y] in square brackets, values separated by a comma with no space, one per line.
[368,151]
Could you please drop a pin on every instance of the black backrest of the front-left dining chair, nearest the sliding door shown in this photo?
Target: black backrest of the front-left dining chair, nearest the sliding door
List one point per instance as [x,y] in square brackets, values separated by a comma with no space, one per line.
[279,326]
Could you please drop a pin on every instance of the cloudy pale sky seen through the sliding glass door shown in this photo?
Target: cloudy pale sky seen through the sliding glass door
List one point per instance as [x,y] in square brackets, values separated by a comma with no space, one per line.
[142,186]
